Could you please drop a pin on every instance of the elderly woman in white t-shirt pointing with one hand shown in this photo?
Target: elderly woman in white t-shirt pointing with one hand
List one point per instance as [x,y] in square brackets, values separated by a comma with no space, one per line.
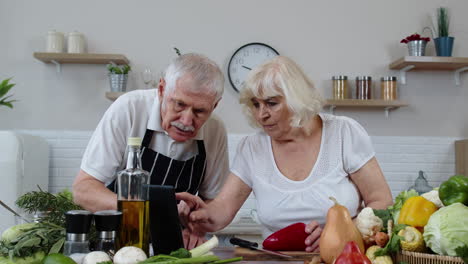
[300,159]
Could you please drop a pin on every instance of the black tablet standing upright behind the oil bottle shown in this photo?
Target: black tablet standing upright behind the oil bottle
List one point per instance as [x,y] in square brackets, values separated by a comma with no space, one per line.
[165,227]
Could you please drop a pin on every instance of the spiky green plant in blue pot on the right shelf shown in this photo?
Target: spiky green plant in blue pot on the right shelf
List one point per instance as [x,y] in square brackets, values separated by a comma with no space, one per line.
[443,42]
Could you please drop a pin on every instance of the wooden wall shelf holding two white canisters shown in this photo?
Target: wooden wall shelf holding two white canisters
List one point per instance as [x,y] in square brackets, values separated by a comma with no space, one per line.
[79,58]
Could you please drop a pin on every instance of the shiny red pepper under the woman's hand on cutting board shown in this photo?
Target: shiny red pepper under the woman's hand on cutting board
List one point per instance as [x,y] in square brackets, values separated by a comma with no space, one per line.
[290,238]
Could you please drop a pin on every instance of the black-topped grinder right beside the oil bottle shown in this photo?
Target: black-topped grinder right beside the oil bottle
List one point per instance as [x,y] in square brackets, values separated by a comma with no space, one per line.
[107,225]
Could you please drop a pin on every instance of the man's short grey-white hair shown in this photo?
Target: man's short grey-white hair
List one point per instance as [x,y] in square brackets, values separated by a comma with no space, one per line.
[204,72]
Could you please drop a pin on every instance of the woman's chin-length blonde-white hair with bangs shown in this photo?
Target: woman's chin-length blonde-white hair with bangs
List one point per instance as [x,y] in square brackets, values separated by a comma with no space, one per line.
[281,76]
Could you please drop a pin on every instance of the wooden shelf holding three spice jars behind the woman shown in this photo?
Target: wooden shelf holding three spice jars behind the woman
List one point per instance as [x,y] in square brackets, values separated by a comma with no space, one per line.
[357,103]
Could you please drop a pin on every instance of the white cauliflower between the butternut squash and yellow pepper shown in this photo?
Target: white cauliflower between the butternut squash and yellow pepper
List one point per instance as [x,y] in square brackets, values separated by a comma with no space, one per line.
[368,224]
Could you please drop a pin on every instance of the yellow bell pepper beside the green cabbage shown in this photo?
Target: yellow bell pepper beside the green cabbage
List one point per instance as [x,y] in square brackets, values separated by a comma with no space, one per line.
[416,211]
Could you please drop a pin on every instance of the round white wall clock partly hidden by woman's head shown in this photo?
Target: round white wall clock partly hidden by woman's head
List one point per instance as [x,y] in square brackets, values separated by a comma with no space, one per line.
[245,59]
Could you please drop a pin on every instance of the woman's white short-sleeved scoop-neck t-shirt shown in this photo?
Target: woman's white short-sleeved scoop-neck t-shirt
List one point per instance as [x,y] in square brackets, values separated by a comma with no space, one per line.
[345,148]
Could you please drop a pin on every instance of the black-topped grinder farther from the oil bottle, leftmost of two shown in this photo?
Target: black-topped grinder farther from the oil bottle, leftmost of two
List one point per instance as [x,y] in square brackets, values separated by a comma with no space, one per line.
[78,223]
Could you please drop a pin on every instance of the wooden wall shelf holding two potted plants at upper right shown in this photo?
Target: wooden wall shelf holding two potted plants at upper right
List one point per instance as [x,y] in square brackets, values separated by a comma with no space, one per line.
[428,63]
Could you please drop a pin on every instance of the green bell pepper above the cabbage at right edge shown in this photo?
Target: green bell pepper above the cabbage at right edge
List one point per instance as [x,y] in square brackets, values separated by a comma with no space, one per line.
[454,190]
